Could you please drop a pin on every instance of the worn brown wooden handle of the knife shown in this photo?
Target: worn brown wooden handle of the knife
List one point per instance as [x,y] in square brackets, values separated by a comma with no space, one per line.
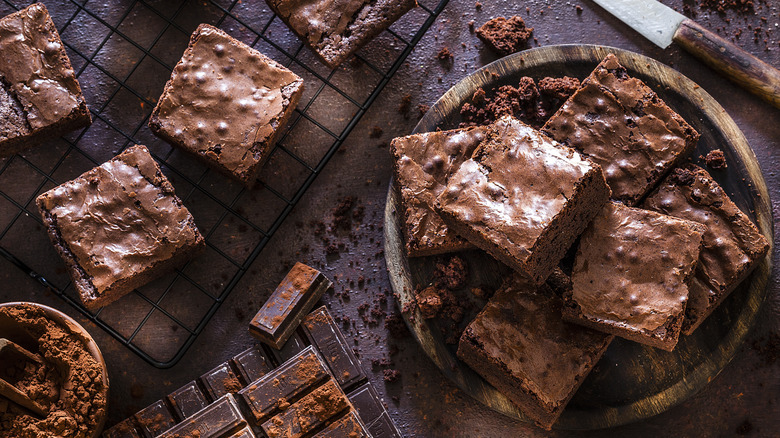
[741,67]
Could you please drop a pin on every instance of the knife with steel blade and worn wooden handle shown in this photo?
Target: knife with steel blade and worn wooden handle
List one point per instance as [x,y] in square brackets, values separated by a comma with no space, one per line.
[662,25]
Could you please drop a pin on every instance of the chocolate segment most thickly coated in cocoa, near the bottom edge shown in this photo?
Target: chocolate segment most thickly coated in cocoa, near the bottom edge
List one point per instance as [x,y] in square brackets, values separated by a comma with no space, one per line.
[308,413]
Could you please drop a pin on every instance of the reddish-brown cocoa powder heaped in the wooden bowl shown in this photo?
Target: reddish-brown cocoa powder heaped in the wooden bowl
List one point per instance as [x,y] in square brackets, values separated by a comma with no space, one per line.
[70,386]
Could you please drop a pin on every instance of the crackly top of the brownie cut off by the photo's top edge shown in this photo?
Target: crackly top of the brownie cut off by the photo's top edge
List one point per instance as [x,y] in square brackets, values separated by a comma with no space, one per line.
[319,19]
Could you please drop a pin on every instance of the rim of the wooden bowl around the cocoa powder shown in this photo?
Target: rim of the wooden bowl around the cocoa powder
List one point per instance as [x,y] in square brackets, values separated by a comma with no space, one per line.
[11,330]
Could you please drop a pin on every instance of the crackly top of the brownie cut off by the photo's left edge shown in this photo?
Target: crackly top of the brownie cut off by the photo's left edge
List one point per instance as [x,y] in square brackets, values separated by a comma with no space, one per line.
[34,65]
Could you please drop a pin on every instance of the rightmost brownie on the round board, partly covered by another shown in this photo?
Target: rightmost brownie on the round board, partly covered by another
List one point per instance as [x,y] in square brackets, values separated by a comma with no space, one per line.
[732,246]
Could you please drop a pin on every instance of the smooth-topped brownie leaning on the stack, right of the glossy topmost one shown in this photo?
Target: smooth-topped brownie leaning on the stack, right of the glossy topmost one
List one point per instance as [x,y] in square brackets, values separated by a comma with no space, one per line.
[631,274]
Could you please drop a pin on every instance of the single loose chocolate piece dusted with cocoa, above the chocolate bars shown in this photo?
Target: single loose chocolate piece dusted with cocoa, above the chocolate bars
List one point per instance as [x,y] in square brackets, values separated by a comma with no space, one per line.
[291,301]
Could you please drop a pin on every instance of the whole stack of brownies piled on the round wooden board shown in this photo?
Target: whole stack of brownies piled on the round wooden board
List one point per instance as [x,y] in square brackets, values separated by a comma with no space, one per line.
[658,244]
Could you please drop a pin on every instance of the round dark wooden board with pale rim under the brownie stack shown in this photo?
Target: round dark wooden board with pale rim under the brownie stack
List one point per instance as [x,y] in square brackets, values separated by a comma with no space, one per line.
[631,381]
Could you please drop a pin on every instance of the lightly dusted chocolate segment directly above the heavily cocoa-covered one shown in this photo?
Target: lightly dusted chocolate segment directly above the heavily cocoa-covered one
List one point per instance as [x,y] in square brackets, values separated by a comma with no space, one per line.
[284,384]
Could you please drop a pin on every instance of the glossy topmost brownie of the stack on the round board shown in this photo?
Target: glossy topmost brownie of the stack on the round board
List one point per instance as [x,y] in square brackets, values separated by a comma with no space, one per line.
[523,198]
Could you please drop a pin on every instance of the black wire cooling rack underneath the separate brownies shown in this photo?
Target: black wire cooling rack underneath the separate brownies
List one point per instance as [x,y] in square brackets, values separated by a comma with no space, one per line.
[123,53]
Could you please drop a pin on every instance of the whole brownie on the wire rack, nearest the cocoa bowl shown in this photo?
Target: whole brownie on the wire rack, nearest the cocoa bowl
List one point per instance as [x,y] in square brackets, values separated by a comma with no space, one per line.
[118,226]
